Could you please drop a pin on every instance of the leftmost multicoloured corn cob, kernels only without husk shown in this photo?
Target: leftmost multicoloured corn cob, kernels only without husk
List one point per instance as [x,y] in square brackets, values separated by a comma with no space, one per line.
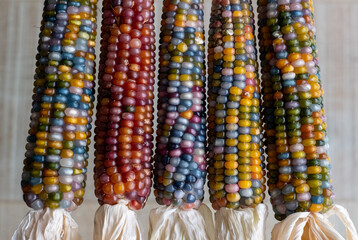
[56,158]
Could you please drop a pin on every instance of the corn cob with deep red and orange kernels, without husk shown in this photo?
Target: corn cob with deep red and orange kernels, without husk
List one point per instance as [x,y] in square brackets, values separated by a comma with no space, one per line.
[125,103]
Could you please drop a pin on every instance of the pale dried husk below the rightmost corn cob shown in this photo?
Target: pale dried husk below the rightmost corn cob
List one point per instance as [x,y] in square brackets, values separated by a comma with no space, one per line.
[307,226]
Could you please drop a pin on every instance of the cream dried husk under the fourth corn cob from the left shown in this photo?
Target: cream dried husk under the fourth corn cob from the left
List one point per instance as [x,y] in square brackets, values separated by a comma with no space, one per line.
[243,224]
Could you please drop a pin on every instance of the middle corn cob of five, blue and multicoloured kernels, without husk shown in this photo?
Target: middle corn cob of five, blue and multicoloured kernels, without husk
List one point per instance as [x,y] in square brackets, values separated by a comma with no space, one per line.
[180,164]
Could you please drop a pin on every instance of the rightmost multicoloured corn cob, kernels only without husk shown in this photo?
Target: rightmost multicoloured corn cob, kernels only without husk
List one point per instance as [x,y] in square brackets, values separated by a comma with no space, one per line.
[298,162]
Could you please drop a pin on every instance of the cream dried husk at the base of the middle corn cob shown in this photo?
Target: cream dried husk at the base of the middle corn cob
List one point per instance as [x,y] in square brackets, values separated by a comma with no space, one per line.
[172,223]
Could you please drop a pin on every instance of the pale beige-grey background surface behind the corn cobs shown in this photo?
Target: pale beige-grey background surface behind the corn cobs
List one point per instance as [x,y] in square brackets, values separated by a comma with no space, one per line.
[337,23]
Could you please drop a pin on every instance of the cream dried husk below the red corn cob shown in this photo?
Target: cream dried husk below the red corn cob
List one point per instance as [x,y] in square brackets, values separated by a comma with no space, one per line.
[116,222]
